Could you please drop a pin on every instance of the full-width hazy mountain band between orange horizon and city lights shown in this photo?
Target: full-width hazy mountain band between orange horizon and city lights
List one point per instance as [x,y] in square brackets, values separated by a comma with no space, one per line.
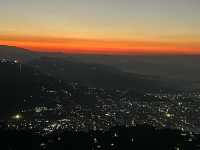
[113,71]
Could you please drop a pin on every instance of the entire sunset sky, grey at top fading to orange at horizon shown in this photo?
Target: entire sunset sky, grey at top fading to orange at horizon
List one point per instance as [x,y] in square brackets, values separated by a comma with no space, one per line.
[102,26]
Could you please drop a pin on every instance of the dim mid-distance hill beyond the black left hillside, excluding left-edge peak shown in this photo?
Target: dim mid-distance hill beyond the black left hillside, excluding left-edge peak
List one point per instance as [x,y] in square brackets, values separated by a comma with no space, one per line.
[94,75]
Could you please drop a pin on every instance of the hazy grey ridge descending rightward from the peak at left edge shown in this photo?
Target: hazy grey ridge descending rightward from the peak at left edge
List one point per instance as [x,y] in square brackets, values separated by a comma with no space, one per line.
[89,74]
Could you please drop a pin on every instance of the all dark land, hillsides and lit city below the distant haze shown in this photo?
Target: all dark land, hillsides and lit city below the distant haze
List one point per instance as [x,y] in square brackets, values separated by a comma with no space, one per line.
[44,105]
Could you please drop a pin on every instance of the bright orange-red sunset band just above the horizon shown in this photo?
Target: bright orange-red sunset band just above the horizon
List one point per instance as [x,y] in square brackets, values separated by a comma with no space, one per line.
[104,46]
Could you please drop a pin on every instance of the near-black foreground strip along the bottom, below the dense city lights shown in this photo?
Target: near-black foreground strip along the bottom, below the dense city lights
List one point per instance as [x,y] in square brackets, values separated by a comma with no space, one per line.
[118,138]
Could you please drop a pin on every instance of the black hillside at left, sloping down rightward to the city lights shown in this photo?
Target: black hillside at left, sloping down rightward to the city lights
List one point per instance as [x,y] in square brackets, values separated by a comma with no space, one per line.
[25,88]
